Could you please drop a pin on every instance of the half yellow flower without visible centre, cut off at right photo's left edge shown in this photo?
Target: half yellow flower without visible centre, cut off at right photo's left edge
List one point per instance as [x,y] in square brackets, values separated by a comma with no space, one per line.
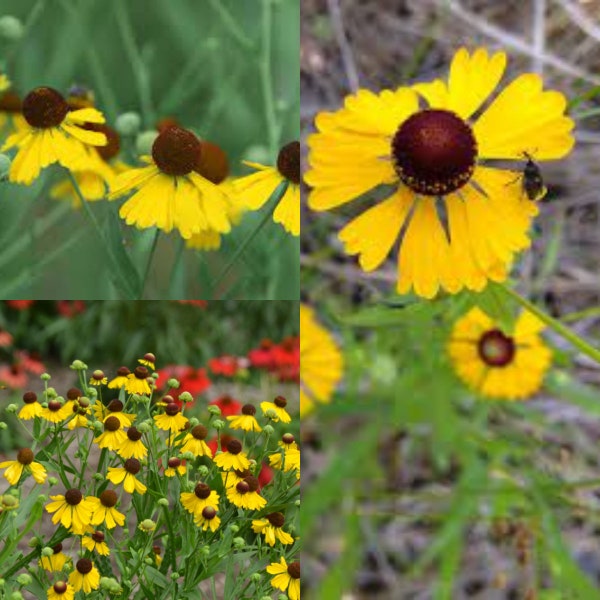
[321,362]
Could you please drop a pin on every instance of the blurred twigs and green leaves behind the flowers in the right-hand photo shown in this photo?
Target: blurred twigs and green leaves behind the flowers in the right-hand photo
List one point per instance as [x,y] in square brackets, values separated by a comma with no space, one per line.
[418,488]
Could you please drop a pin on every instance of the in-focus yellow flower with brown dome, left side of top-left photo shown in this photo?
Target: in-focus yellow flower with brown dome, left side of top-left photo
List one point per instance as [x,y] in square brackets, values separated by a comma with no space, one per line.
[54,134]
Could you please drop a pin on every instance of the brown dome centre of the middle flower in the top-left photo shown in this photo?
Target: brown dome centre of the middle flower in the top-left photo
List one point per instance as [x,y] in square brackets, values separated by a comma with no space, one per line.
[176,151]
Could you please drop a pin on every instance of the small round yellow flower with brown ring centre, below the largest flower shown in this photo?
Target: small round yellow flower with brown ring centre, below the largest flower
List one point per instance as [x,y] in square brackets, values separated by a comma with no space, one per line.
[495,364]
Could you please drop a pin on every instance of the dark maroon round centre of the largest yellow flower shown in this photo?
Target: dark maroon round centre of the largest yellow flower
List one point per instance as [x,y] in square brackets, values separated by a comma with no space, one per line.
[434,152]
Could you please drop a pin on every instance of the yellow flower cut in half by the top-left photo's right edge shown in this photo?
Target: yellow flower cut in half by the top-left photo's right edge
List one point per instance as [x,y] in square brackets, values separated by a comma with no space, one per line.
[254,190]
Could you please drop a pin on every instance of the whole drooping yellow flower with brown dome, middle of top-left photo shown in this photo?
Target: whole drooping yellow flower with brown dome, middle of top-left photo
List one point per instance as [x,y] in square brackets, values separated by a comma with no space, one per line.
[171,193]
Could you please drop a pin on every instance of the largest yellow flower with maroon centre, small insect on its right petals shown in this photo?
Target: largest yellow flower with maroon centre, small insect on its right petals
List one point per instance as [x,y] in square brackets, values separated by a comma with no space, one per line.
[458,223]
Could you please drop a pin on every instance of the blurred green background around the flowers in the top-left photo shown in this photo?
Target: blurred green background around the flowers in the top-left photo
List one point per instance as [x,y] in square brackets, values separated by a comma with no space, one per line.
[227,70]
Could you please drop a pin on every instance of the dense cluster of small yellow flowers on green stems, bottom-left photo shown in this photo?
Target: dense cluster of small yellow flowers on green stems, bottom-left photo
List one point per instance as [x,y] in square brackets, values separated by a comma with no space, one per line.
[129,478]
